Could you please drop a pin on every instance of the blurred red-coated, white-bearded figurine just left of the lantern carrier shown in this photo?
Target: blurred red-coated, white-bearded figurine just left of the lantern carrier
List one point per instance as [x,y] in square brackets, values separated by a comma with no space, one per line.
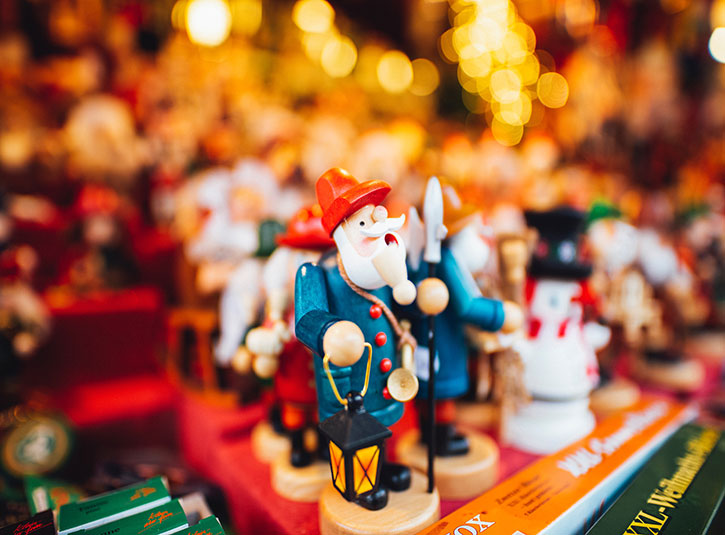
[274,352]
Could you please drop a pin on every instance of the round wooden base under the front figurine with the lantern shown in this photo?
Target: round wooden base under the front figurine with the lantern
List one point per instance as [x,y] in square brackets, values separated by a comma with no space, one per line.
[407,512]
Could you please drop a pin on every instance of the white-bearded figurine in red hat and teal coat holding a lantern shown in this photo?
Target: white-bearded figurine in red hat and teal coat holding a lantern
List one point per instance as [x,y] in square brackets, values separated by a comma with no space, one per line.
[343,310]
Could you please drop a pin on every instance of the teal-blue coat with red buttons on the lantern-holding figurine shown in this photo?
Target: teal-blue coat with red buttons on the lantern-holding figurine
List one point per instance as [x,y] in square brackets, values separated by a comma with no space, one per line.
[322,298]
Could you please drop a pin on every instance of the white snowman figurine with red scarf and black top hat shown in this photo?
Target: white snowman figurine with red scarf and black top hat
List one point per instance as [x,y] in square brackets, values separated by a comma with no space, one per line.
[560,364]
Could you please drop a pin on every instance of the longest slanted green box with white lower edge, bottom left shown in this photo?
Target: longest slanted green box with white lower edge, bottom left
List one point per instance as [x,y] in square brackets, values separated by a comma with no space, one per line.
[112,506]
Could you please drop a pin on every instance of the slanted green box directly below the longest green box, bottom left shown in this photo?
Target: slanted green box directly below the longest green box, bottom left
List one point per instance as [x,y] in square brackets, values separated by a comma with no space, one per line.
[167,518]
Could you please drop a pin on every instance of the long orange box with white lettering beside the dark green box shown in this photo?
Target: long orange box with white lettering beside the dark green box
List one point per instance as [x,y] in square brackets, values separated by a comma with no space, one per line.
[564,493]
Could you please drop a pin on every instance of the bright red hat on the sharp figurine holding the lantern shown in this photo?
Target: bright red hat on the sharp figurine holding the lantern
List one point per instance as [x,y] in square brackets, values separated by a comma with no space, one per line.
[340,195]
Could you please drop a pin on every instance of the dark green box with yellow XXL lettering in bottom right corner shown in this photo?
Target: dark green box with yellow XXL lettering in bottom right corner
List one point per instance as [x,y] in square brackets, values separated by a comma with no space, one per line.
[678,492]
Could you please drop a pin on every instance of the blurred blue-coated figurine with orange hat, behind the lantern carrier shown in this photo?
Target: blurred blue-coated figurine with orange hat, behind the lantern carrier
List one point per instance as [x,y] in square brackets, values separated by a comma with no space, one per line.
[463,255]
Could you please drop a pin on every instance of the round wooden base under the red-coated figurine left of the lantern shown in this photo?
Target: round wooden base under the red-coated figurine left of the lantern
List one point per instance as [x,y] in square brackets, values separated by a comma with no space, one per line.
[299,484]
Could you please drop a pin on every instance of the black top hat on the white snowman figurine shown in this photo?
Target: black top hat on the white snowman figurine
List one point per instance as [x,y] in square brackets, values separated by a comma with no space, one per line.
[556,253]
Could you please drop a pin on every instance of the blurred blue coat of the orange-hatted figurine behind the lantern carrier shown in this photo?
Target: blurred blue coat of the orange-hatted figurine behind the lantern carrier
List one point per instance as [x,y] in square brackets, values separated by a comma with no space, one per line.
[466,306]
